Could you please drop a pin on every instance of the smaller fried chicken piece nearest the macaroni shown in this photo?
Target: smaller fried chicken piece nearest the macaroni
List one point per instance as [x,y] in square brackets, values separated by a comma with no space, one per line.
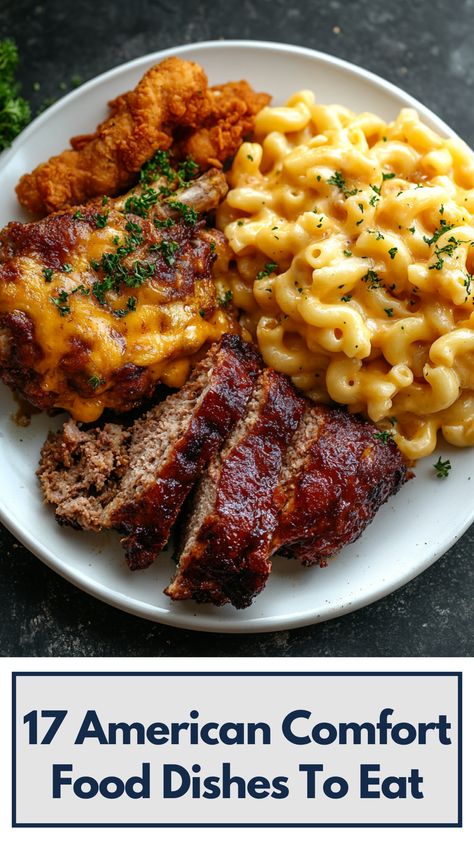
[232,110]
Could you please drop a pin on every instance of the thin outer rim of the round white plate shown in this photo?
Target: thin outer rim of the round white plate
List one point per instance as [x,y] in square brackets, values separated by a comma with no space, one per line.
[130,604]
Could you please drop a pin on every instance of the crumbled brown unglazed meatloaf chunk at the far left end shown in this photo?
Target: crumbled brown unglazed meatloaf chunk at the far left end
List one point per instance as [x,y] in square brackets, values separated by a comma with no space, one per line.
[79,471]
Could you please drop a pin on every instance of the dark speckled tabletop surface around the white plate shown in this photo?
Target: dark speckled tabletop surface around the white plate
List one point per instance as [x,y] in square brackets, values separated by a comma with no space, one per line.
[422,47]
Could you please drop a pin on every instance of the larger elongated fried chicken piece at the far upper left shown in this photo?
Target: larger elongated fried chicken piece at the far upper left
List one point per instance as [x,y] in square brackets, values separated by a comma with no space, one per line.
[107,162]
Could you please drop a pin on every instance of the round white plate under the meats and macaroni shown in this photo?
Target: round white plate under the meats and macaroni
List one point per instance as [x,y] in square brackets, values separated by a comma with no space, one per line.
[408,534]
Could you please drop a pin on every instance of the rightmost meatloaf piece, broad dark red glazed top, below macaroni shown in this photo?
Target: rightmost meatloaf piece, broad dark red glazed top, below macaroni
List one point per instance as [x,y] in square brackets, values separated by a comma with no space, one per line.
[336,474]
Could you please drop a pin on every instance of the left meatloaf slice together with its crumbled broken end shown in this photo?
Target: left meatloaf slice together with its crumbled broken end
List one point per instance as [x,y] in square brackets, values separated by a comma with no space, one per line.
[137,480]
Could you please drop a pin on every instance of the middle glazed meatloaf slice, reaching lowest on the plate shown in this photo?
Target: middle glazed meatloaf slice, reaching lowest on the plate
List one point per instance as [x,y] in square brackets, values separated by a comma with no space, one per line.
[226,543]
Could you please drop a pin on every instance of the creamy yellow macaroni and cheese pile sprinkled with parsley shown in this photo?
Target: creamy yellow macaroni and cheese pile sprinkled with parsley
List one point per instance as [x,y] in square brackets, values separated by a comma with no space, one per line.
[353,262]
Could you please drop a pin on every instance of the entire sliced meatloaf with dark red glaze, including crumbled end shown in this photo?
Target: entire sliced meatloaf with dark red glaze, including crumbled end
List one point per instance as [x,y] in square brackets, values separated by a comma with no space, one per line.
[270,470]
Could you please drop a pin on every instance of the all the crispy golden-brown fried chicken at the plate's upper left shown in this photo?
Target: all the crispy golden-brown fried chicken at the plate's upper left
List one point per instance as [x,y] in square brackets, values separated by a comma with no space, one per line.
[171,105]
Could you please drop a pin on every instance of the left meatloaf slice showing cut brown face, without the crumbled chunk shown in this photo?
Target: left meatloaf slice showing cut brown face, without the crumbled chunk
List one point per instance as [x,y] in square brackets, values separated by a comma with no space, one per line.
[172,444]
